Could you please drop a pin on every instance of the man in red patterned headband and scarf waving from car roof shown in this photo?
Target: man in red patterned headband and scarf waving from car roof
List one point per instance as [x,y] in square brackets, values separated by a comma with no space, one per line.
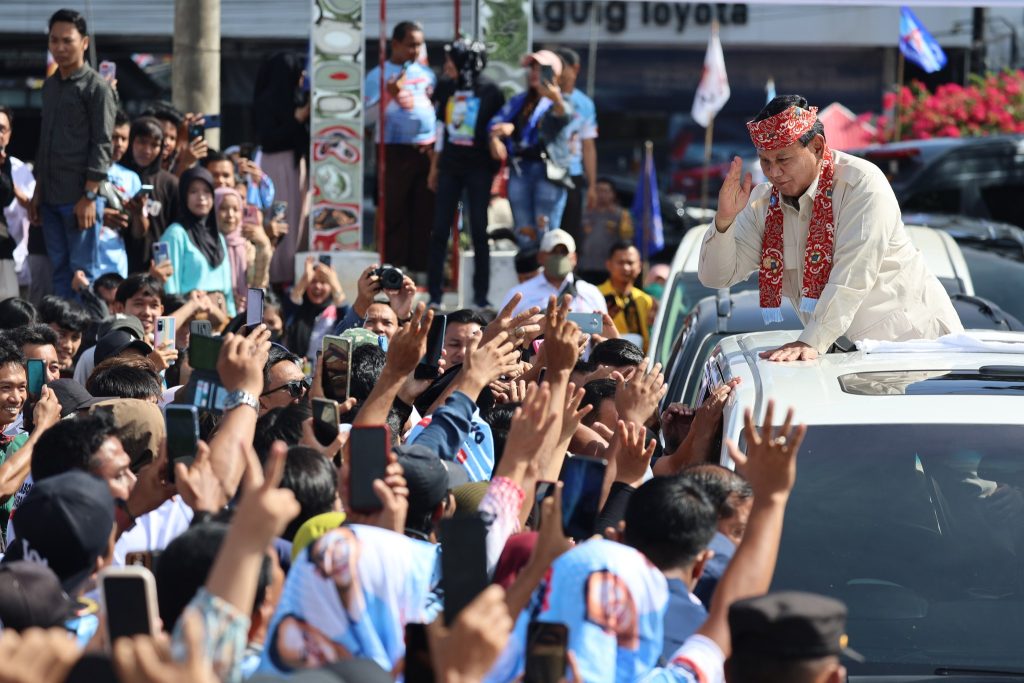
[826,232]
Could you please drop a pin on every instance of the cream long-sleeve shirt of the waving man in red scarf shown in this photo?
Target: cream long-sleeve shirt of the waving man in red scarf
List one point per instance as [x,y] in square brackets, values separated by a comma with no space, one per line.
[880,287]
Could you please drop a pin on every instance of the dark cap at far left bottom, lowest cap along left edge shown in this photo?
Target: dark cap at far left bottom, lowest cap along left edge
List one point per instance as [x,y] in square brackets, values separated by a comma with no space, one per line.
[31,596]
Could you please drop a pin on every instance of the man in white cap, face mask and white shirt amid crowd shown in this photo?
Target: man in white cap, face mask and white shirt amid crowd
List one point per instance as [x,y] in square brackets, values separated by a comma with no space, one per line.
[558,257]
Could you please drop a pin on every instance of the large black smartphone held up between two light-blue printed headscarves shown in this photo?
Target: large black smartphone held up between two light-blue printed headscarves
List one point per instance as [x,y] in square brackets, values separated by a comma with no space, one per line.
[464,563]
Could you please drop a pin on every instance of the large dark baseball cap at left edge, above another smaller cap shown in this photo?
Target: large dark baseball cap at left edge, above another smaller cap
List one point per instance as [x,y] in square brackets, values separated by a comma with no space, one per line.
[65,523]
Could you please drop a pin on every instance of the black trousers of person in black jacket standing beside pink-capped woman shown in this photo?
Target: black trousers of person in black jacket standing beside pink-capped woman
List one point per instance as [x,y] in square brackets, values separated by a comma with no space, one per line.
[477,184]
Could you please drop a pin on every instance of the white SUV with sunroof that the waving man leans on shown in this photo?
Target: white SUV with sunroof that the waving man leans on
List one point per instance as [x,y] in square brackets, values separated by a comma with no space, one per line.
[910,497]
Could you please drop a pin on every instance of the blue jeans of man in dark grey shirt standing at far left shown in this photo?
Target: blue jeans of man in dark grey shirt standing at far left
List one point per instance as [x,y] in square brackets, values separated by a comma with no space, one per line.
[69,248]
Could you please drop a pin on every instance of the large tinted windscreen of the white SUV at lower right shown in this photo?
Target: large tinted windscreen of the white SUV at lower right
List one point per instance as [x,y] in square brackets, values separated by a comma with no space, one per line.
[920,531]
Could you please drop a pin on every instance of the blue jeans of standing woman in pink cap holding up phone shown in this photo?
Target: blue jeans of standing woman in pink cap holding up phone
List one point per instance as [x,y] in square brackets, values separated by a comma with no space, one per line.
[537,203]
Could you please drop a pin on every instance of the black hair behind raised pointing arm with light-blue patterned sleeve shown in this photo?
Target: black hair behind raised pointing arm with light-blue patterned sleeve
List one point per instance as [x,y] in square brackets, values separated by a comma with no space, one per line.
[185,566]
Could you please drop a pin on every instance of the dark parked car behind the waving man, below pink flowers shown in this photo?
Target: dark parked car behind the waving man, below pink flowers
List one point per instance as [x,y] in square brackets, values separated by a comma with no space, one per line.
[972,177]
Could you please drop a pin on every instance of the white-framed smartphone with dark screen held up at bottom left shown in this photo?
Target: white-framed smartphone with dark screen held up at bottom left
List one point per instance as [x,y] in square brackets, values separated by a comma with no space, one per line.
[129,601]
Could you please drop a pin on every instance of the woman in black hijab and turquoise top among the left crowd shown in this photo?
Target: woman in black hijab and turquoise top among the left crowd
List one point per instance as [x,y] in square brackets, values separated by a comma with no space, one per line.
[198,250]
